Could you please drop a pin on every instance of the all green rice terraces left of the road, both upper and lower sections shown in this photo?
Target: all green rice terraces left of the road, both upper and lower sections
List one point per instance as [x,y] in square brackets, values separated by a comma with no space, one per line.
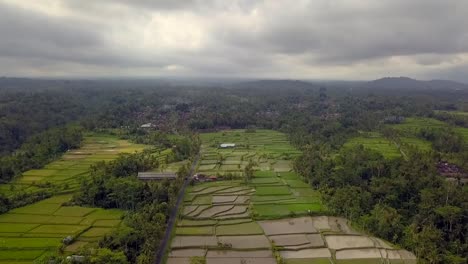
[28,232]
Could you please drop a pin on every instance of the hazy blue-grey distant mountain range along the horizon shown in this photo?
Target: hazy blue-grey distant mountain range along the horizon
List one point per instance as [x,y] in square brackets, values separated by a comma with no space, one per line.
[383,84]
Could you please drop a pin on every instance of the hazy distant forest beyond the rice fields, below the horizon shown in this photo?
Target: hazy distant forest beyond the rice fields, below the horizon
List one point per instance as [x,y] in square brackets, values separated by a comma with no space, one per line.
[30,106]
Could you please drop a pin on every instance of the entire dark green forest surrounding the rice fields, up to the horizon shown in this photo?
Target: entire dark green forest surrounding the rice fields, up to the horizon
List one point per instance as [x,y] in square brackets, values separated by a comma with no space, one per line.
[403,200]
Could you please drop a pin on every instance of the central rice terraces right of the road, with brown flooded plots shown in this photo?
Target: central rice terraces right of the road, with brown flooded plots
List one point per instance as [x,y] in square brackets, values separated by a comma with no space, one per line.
[274,217]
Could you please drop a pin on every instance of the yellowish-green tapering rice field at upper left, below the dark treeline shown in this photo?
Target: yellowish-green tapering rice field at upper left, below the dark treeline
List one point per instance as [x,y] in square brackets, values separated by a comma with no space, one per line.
[64,174]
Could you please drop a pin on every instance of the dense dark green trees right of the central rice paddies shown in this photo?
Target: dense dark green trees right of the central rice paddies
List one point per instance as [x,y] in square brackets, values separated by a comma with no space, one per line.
[402,201]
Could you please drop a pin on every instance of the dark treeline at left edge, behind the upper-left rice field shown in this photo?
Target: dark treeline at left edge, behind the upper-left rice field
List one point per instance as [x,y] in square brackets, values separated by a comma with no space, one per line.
[39,150]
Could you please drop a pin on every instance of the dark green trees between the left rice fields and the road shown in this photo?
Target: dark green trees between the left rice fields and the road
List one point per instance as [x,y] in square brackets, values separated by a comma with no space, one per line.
[114,185]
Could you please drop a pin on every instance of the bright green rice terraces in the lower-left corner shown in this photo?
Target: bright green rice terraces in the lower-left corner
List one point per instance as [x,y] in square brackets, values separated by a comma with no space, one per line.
[28,232]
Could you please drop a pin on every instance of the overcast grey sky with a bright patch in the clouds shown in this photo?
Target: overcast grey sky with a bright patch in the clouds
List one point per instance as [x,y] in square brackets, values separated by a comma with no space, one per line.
[317,39]
